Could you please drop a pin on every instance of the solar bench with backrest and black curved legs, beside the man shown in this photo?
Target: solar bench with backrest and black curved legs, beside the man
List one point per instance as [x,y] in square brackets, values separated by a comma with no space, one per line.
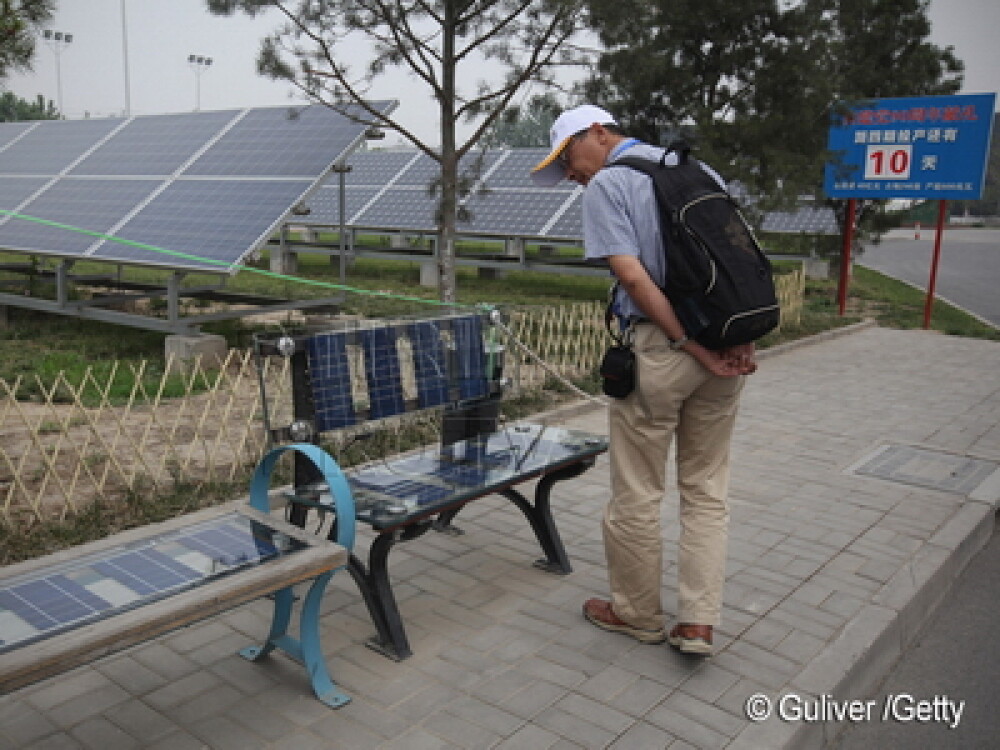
[354,377]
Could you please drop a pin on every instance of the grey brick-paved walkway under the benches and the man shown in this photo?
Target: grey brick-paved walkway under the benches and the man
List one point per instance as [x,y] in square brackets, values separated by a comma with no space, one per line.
[830,573]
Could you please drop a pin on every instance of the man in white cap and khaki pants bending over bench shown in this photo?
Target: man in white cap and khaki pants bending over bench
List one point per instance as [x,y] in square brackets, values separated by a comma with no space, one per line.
[683,391]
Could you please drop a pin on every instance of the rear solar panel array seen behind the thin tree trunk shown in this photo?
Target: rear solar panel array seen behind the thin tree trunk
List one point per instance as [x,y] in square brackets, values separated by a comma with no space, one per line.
[395,190]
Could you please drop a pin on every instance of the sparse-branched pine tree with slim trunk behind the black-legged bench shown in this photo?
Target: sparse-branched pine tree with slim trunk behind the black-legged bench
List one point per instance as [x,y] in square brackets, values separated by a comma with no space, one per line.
[443,44]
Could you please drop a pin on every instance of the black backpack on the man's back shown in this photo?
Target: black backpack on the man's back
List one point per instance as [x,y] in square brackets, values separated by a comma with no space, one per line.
[718,279]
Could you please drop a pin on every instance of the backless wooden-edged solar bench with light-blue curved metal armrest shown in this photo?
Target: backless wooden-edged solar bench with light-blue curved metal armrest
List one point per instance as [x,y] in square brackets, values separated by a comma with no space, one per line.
[77,605]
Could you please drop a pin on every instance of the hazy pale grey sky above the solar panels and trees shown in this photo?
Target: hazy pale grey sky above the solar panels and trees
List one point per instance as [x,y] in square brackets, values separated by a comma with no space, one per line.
[161,34]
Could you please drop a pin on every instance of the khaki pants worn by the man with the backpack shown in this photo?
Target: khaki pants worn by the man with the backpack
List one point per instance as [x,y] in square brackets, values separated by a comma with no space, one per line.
[674,395]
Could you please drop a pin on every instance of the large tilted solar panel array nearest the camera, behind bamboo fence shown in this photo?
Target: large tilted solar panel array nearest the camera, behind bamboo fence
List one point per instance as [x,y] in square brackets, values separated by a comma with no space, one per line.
[215,185]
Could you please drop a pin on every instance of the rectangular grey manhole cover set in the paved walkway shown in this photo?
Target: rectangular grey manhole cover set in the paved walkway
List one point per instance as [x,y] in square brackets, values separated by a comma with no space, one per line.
[927,468]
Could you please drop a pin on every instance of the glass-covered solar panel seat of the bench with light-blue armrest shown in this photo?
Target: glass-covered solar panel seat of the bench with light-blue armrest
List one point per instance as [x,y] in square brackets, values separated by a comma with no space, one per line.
[83,591]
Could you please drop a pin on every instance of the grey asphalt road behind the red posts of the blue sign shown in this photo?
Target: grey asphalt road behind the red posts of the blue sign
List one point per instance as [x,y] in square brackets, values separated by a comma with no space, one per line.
[968,274]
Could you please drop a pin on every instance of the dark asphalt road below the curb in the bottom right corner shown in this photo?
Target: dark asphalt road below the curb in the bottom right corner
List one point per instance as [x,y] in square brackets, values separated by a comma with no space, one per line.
[956,658]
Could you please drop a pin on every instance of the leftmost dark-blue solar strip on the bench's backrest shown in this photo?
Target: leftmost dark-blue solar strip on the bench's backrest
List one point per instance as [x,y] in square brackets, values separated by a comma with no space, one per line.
[330,375]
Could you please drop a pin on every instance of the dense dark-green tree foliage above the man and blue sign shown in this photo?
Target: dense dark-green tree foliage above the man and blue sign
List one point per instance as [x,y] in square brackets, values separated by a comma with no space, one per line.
[755,83]
